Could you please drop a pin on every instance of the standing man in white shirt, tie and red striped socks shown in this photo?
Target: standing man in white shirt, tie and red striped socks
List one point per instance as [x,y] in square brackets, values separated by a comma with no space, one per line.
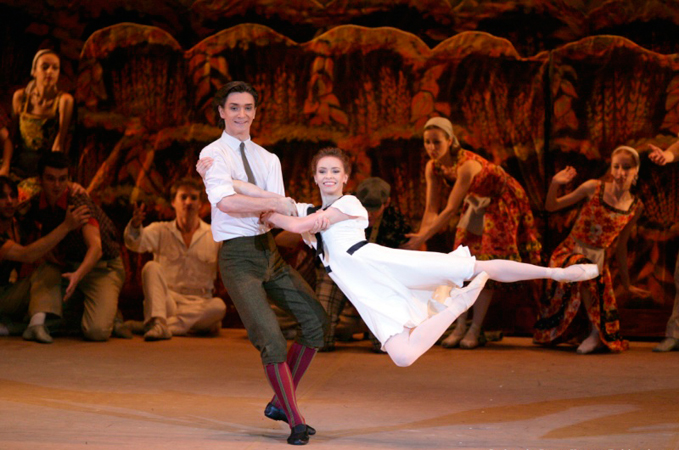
[249,262]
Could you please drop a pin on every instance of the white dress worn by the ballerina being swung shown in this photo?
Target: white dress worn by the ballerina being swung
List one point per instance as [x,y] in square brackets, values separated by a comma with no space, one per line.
[390,288]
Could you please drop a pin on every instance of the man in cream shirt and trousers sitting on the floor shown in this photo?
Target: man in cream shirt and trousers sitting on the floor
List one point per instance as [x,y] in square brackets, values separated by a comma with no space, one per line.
[178,283]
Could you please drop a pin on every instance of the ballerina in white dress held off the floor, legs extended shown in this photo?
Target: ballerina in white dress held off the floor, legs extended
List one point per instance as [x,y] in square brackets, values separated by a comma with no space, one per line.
[406,298]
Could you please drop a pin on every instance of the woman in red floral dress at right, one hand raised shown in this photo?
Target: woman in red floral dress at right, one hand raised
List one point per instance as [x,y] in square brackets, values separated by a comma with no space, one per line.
[610,211]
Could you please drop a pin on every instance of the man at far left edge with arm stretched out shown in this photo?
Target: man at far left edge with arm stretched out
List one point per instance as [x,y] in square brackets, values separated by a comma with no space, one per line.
[15,292]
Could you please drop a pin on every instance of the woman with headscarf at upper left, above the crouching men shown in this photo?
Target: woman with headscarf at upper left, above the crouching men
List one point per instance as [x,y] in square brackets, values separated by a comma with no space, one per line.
[44,113]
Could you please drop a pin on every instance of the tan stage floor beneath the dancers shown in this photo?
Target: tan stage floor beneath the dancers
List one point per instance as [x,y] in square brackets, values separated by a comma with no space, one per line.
[209,393]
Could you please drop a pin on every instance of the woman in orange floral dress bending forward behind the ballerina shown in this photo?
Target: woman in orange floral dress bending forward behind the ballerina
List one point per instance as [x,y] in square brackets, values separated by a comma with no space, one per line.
[496,219]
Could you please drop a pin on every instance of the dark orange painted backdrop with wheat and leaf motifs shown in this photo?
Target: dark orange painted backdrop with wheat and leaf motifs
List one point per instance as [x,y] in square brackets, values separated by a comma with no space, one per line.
[532,85]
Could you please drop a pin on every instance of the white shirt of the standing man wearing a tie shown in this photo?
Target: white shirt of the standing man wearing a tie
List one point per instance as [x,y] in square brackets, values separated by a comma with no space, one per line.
[228,166]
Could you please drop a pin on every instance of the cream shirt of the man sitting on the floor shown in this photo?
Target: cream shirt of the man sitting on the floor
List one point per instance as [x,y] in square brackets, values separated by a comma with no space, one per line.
[188,270]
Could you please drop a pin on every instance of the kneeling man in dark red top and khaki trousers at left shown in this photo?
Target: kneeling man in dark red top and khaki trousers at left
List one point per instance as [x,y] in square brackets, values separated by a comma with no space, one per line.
[88,259]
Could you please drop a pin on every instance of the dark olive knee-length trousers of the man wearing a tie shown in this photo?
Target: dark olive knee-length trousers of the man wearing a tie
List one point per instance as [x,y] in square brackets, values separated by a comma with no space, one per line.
[251,269]
